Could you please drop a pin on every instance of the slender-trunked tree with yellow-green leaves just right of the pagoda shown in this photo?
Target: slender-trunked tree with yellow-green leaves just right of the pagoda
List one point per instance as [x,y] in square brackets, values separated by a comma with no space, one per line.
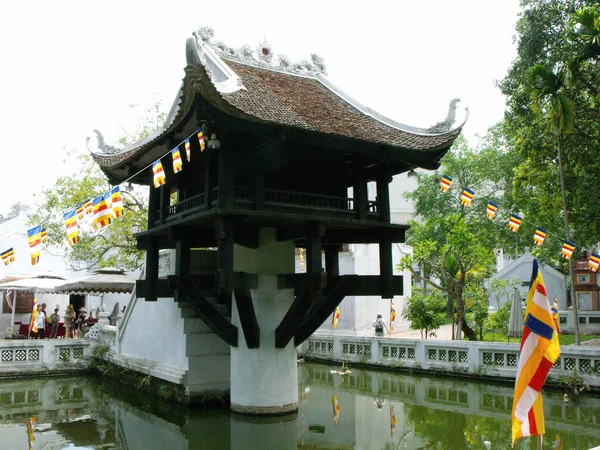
[454,243]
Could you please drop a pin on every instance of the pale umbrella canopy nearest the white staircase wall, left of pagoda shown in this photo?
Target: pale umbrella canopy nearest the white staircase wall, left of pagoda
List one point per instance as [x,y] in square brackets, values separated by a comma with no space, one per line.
[103,281]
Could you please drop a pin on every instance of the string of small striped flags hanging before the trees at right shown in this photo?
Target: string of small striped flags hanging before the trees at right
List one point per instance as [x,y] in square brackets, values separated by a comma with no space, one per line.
[514,222]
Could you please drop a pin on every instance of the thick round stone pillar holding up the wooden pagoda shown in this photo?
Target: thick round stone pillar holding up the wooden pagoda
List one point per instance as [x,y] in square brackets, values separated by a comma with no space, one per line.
[264,380]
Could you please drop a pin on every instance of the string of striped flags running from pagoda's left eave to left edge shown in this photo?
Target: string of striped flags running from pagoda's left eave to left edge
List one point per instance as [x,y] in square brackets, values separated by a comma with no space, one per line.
[100,211]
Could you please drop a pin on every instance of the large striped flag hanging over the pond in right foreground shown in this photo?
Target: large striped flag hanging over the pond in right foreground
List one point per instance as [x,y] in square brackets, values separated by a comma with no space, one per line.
[540,349]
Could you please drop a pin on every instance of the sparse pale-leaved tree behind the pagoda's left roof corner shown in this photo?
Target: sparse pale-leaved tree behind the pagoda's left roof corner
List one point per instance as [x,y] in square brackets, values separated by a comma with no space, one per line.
[114,245]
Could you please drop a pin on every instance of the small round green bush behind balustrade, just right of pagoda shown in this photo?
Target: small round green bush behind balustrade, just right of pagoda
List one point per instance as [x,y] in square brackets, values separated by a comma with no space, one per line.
[425,312]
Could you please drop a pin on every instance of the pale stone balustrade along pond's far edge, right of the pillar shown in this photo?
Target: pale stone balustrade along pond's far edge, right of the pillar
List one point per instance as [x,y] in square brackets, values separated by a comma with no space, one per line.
[489,359]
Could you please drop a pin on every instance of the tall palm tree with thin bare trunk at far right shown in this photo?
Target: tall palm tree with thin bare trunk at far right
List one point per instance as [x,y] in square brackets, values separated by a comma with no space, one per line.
[548,98]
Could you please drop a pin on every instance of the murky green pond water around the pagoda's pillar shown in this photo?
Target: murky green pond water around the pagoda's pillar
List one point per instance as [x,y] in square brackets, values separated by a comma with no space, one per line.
[362,410]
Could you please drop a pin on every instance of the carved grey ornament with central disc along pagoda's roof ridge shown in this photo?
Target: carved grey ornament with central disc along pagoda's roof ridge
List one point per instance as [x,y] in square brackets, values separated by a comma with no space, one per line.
[263,56]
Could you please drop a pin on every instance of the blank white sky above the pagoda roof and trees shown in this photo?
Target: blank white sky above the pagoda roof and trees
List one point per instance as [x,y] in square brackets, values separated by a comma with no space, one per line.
[69,67]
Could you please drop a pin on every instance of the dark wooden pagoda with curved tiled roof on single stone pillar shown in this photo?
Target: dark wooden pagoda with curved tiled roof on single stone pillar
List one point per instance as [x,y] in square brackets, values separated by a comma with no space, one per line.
[284,147]
